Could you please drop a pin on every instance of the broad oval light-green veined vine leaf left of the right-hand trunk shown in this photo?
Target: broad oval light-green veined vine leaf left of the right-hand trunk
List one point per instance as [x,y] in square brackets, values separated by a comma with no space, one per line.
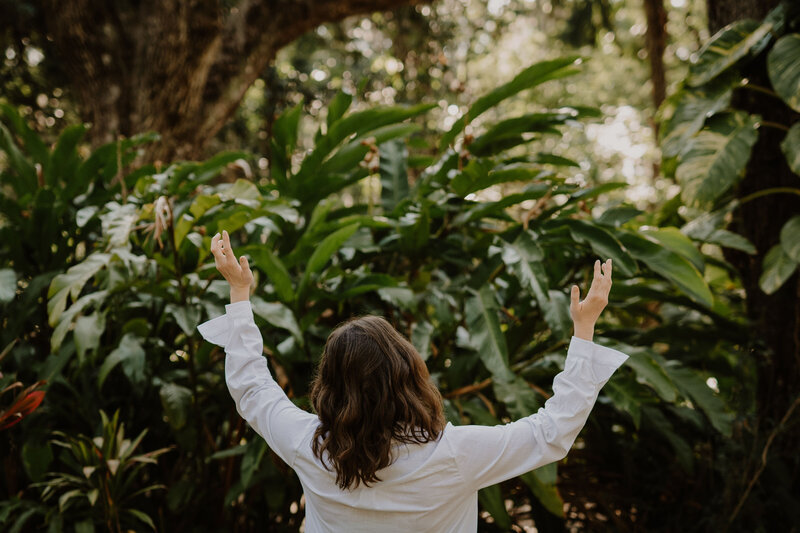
[716,158]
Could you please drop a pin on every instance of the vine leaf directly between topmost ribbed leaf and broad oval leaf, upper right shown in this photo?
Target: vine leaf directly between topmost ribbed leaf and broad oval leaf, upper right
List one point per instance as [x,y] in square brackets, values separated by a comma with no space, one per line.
[692,106]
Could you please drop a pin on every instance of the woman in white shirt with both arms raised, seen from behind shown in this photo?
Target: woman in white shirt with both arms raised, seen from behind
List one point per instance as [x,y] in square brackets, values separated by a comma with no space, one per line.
[378,456]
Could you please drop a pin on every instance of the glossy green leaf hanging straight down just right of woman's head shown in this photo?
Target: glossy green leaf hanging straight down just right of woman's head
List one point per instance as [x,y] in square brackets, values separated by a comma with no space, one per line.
[486,337]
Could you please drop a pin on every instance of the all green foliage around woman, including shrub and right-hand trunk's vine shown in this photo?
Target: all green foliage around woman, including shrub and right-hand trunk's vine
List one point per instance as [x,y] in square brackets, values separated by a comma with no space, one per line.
[467,240]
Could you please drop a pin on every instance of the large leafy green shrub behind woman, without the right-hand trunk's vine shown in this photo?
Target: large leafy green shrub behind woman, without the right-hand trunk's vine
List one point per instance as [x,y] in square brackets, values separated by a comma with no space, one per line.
[477,281]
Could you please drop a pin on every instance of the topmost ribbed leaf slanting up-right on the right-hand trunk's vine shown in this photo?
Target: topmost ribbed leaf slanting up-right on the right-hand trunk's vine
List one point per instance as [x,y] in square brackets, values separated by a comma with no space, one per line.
[726,48]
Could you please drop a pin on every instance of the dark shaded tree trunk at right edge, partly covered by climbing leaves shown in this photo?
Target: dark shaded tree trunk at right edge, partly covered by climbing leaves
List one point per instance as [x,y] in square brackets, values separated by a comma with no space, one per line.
[776,317]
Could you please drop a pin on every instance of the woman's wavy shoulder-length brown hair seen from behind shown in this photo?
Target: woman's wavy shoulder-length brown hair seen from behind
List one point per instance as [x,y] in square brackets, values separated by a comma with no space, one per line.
[372,388]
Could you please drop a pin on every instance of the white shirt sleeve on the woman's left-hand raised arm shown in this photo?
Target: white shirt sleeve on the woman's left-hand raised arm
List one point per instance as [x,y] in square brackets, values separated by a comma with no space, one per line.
[259,399]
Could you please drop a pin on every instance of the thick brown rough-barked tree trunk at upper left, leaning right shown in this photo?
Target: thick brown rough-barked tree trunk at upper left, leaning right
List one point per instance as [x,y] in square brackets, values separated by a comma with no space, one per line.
[177,67]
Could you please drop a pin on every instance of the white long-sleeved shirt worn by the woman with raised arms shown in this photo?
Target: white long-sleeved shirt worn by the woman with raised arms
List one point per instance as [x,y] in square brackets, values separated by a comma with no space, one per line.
[429,487]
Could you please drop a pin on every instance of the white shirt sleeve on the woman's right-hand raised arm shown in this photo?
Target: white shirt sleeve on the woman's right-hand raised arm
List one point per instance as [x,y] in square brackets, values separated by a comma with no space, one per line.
[486,455]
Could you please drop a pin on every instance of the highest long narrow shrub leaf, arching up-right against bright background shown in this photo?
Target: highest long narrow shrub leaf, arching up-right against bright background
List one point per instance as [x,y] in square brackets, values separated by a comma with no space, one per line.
[530,77]
